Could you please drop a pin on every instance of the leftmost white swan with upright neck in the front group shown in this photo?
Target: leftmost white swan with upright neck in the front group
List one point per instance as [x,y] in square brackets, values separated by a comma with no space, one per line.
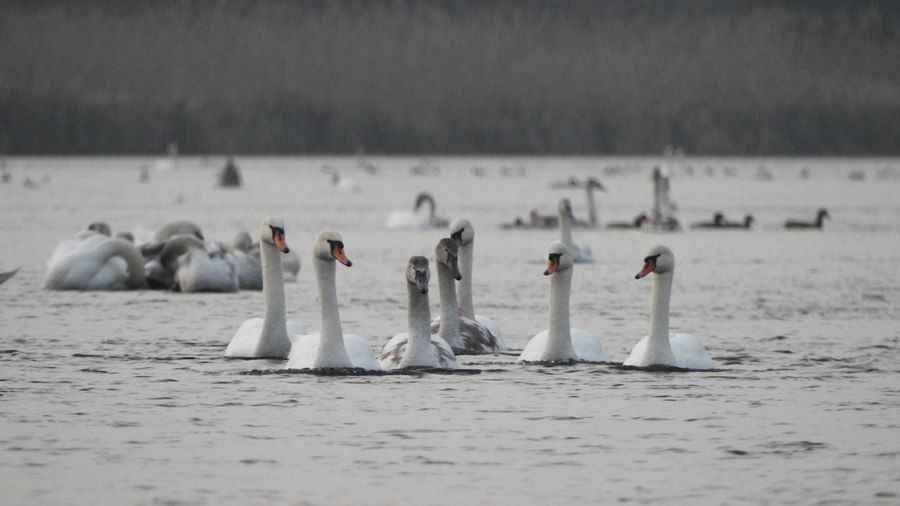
[268,337]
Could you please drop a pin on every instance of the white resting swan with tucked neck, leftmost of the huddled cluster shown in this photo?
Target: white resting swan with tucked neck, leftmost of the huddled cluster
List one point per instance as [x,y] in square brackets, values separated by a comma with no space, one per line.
[97,263]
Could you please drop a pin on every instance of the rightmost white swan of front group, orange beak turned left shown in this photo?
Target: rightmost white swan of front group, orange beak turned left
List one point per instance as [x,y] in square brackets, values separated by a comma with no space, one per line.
[659,348]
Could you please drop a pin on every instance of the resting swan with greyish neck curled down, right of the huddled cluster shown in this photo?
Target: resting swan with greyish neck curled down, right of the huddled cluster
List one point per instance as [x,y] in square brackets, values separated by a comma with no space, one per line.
[194,269]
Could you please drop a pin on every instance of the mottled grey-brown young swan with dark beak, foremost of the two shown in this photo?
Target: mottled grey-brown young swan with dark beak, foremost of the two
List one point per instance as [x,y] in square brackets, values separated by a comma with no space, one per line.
[417,347]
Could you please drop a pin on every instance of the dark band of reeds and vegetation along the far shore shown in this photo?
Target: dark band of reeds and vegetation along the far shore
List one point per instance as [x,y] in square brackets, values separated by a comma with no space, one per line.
[712,76]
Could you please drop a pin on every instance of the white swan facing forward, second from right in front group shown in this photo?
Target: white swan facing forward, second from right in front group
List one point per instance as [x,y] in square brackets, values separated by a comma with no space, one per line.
[560,341]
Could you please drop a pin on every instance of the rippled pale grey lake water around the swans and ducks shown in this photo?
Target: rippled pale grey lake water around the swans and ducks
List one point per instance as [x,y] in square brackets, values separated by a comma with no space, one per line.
[125,397]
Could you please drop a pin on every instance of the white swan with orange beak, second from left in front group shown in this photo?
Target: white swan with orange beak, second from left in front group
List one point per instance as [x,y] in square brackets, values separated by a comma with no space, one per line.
[330,348]
